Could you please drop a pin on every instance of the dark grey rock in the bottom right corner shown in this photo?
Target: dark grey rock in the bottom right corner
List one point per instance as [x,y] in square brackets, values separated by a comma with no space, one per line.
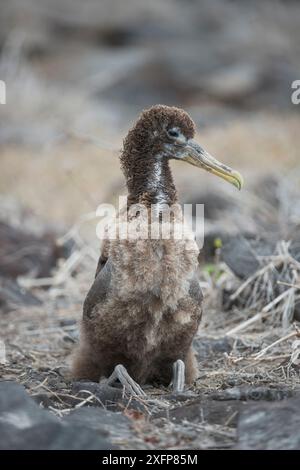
[270,426]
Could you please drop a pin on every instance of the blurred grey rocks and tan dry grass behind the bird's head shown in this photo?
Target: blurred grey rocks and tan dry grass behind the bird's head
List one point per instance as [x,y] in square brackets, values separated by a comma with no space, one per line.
[78,73]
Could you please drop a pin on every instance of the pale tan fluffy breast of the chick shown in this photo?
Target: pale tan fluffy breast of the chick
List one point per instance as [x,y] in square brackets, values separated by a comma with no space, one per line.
[145,269]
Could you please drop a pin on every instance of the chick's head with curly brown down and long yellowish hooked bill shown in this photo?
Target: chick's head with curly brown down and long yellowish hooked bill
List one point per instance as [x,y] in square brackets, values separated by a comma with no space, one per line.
[164,132]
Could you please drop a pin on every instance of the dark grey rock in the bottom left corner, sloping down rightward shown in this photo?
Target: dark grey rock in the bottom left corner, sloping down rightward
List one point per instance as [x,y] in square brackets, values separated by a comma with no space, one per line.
[24,425]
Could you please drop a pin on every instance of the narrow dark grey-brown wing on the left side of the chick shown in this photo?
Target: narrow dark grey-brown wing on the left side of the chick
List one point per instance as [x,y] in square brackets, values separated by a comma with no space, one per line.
[99,290]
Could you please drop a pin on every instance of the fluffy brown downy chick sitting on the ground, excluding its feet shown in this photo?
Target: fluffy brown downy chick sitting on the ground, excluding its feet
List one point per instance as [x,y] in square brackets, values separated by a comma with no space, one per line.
[144,307]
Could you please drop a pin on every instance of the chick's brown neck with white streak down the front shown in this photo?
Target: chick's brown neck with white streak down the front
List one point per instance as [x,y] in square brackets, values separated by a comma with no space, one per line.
[152,183]
